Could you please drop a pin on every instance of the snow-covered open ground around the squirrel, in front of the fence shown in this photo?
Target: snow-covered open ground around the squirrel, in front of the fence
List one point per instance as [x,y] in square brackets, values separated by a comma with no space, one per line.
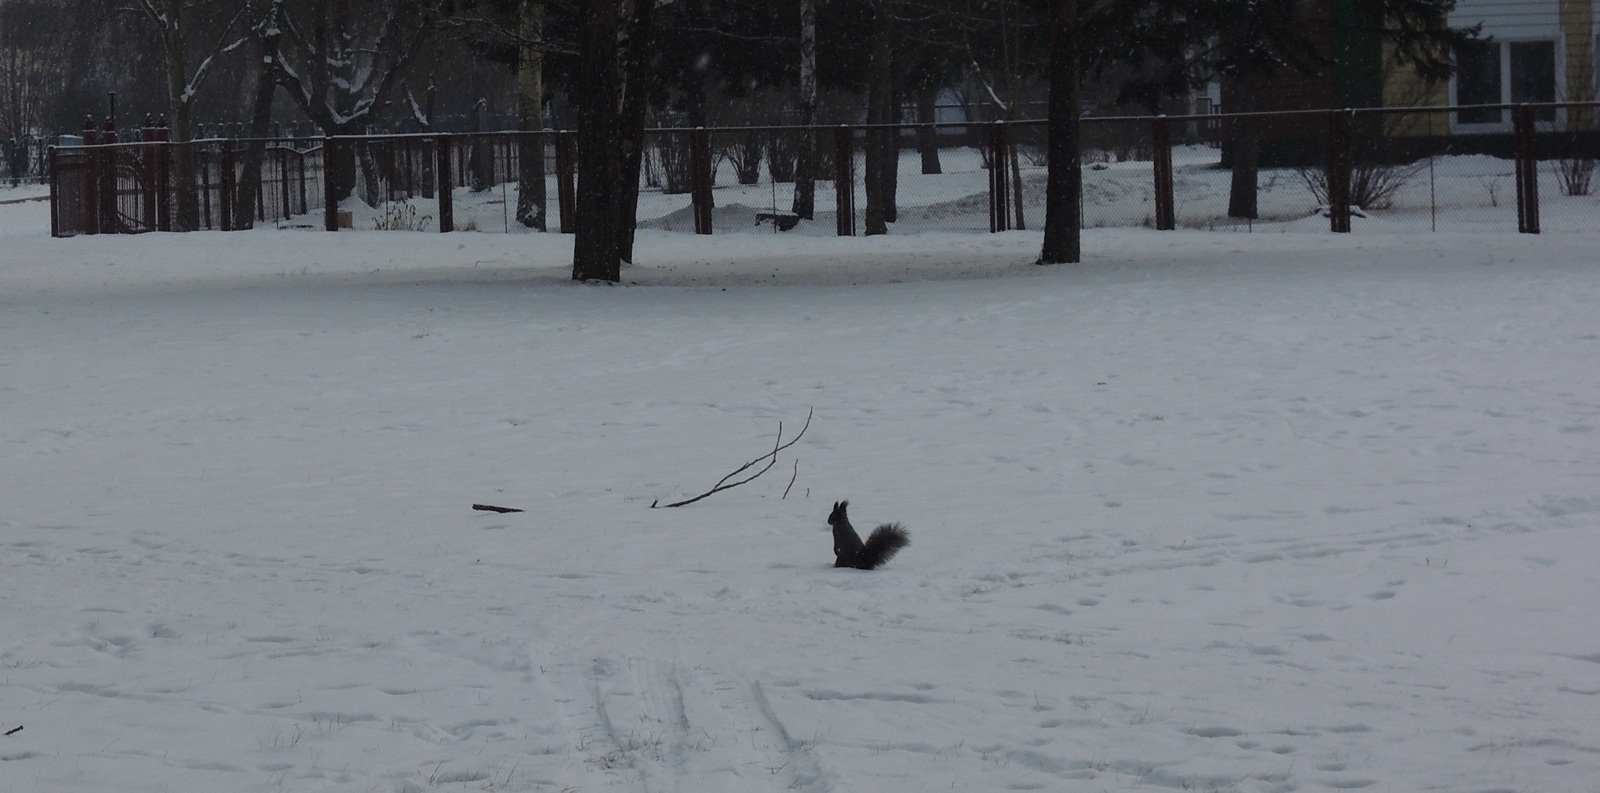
[1289,512]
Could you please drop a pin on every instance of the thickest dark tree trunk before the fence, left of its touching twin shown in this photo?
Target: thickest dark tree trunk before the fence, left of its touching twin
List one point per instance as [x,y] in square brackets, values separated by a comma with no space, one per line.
[598,244]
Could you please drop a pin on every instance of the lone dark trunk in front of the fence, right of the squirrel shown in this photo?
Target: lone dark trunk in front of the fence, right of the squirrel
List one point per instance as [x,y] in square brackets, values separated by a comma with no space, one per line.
[1063,210]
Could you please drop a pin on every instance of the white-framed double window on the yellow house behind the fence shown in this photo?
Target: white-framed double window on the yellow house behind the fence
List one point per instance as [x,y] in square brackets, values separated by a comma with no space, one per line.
[1495,73]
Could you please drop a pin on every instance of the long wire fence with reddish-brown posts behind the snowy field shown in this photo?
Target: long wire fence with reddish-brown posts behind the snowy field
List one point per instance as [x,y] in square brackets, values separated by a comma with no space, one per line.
[1516,169]
